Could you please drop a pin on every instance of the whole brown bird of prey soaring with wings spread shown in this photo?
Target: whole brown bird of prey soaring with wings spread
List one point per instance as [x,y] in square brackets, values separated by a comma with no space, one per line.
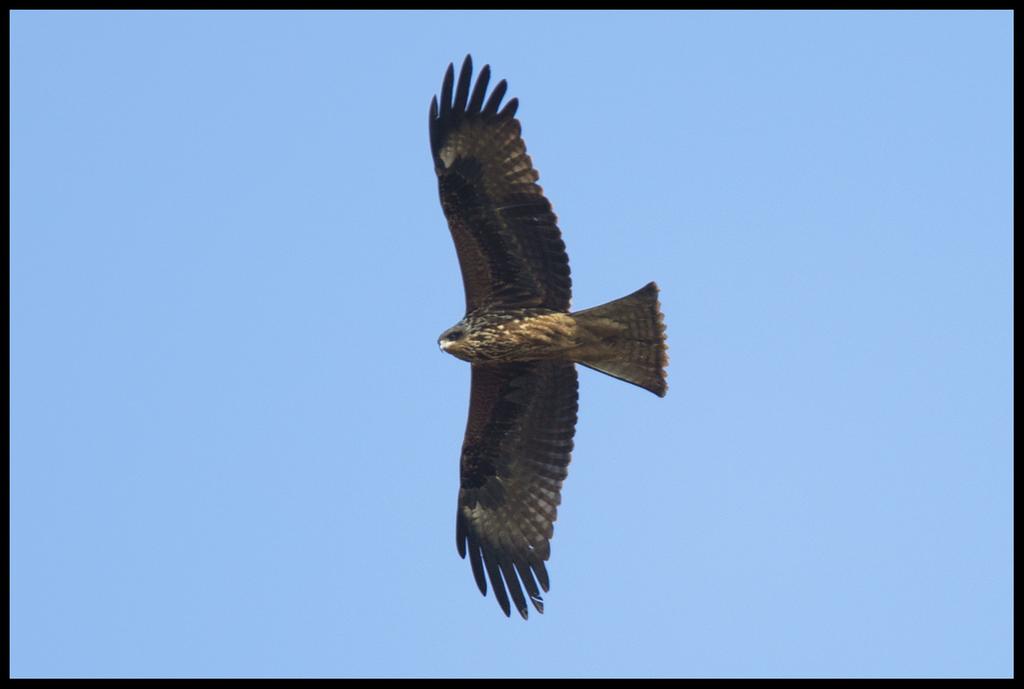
[522,339]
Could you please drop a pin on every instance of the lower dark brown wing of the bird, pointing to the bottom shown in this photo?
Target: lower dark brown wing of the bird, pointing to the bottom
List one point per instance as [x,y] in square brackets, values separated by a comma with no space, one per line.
[515,459]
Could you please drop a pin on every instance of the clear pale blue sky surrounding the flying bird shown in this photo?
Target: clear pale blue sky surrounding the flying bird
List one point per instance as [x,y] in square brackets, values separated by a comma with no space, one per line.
[235,442]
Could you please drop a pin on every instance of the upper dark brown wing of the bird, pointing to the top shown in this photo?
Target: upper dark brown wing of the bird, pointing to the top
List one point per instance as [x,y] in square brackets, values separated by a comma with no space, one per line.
[506,235]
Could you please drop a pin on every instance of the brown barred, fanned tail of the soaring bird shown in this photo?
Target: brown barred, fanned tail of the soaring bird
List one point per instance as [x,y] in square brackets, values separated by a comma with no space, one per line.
[626,339]
